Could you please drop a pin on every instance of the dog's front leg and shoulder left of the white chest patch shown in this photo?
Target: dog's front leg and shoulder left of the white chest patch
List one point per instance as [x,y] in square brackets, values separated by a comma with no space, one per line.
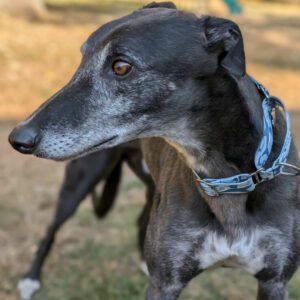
[170,252]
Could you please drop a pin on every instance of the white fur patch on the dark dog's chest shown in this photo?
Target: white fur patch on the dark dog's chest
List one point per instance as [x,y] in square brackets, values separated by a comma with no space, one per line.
[246,250]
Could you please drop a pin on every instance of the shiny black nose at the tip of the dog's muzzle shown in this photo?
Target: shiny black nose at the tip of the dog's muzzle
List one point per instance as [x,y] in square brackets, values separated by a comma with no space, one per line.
[24,139]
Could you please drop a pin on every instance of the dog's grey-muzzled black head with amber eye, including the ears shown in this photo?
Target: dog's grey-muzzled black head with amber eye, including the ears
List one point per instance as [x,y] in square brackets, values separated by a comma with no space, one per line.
[139,76]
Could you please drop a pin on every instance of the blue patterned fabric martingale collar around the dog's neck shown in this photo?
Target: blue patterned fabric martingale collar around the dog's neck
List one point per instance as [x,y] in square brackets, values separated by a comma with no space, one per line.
[245,183]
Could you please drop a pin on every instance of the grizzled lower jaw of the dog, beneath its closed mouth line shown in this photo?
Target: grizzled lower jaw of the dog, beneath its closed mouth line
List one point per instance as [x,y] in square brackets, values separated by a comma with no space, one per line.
[107,143]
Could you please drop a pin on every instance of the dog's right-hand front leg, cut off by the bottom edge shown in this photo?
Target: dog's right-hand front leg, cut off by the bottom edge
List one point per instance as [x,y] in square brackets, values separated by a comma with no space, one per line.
[272,290]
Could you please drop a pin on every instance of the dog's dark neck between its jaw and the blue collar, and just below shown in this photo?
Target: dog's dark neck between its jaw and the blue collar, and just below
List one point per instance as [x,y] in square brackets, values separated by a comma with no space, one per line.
[221,138]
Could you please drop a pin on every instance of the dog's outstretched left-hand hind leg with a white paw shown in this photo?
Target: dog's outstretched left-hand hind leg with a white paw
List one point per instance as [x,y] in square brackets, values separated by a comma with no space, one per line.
[80,179]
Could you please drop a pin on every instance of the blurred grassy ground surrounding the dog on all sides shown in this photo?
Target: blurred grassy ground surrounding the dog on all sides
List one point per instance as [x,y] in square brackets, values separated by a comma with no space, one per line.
[39,51]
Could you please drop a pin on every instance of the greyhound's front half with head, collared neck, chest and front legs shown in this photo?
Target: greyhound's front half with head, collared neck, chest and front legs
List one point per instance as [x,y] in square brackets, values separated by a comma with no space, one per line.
[179,83]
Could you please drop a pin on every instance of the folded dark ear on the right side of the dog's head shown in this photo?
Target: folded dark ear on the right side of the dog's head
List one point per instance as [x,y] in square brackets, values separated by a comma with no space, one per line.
[224,38]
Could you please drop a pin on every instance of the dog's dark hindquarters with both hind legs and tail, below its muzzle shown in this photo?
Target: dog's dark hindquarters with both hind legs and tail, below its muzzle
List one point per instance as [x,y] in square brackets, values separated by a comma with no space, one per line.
[81,178]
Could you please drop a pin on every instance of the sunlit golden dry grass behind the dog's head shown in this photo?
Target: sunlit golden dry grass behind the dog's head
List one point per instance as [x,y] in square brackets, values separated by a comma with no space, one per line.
[36,59]
